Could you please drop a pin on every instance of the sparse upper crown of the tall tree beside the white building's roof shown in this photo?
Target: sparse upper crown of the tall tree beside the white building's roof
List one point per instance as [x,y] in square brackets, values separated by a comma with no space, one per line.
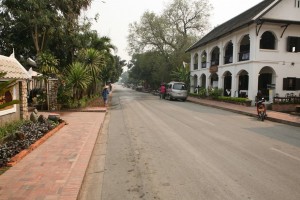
[172,32]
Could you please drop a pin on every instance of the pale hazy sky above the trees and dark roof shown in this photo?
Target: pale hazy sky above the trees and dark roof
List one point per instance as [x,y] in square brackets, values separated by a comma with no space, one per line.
[116,15]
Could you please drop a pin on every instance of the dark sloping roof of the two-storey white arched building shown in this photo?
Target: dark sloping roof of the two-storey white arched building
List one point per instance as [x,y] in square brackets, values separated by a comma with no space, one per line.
[244,19]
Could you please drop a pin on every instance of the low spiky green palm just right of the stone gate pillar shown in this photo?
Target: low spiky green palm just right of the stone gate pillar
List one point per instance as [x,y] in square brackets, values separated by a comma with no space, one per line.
[78,79]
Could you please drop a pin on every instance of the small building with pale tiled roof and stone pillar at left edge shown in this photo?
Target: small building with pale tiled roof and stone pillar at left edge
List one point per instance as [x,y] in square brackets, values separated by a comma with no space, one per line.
[14,70]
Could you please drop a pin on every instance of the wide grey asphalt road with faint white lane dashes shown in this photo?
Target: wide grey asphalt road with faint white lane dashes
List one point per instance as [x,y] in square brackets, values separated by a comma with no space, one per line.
[172,150]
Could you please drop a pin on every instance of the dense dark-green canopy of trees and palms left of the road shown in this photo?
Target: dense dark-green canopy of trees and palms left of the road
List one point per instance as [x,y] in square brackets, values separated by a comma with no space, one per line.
[55,35]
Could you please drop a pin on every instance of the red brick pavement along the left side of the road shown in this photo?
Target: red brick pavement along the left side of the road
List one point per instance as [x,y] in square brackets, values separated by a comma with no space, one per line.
[55,169]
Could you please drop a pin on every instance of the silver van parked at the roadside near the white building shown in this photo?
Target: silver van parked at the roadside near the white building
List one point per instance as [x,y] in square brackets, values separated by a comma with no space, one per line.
[176,90]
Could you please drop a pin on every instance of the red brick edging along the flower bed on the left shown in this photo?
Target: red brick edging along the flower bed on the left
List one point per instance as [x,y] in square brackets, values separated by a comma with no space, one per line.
[14,160]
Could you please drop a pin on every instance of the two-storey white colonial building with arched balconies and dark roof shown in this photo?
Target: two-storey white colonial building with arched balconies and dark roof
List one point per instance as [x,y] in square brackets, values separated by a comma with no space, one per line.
[257,50]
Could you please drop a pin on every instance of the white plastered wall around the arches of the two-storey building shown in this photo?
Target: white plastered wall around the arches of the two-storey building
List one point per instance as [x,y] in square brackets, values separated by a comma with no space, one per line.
[279,61]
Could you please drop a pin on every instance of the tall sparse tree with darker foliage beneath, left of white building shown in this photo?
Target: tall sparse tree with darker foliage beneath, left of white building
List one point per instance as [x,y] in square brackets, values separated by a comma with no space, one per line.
[168,36]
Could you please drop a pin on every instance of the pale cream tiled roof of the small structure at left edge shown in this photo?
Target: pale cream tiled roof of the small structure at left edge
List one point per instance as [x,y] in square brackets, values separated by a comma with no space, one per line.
[13,69]
